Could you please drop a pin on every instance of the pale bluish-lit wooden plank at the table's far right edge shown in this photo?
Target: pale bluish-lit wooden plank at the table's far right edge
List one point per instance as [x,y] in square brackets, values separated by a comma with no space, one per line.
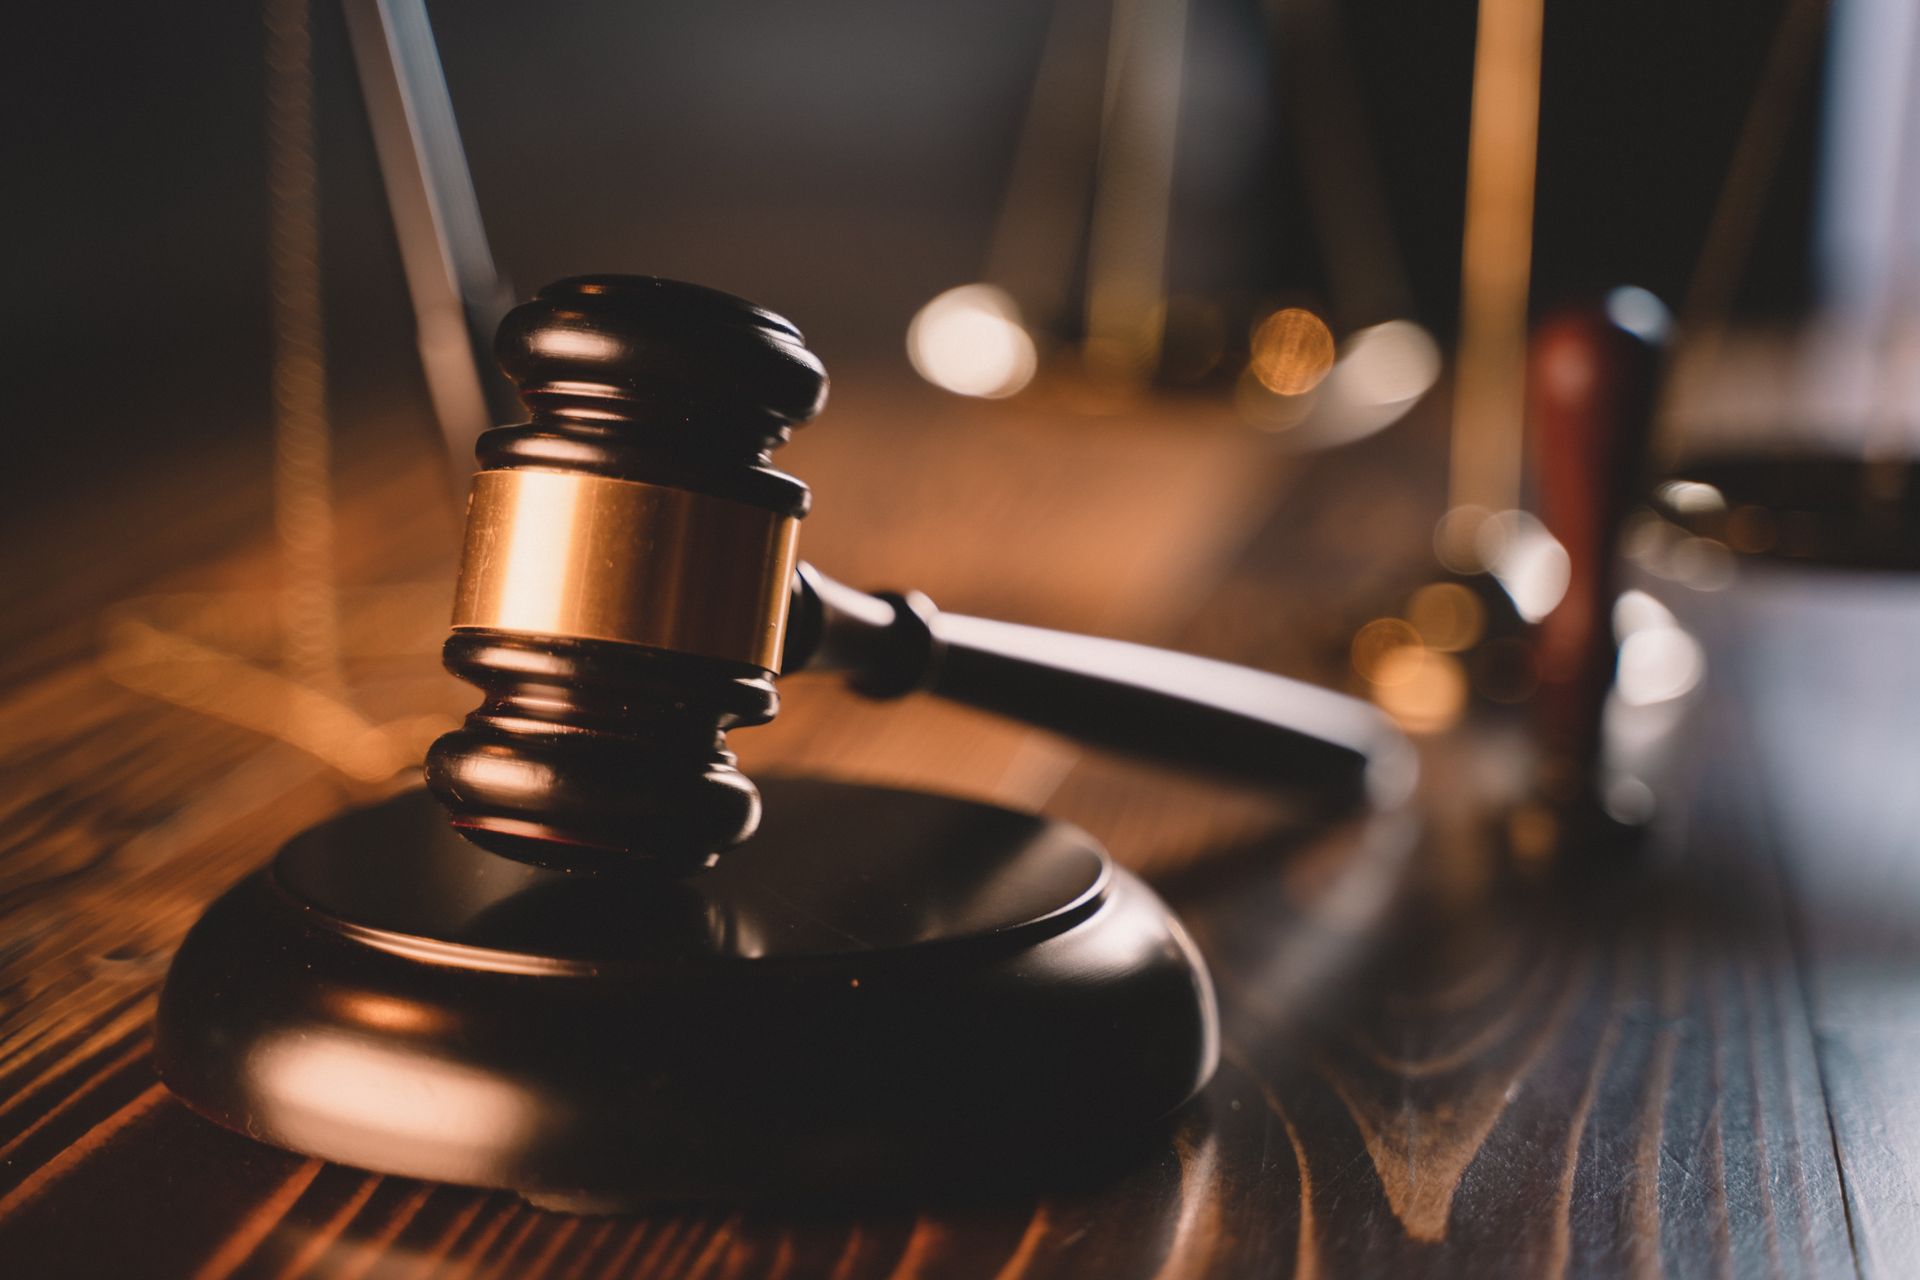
[1819,676]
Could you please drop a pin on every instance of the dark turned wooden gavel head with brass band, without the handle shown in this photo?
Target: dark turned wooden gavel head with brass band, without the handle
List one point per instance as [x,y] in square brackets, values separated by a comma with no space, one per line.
[625,584]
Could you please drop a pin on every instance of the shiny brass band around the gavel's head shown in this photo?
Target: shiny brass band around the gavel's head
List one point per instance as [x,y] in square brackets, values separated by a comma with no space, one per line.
[590,557]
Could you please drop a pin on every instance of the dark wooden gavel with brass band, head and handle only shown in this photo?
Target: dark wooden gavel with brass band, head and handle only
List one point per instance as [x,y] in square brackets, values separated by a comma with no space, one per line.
[631,590]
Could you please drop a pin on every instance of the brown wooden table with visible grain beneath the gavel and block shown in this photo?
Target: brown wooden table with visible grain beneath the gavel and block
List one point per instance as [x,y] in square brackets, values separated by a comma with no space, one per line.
[1437,1060]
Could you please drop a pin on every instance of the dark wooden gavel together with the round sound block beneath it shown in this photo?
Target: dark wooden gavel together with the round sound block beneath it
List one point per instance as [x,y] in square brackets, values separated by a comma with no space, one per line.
[573,989]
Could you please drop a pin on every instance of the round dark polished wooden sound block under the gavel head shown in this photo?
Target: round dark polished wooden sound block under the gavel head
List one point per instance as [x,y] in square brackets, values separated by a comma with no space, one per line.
[880,987]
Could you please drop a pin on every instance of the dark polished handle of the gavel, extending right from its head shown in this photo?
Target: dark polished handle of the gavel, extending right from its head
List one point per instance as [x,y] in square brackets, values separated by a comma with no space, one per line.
[1166,707]
